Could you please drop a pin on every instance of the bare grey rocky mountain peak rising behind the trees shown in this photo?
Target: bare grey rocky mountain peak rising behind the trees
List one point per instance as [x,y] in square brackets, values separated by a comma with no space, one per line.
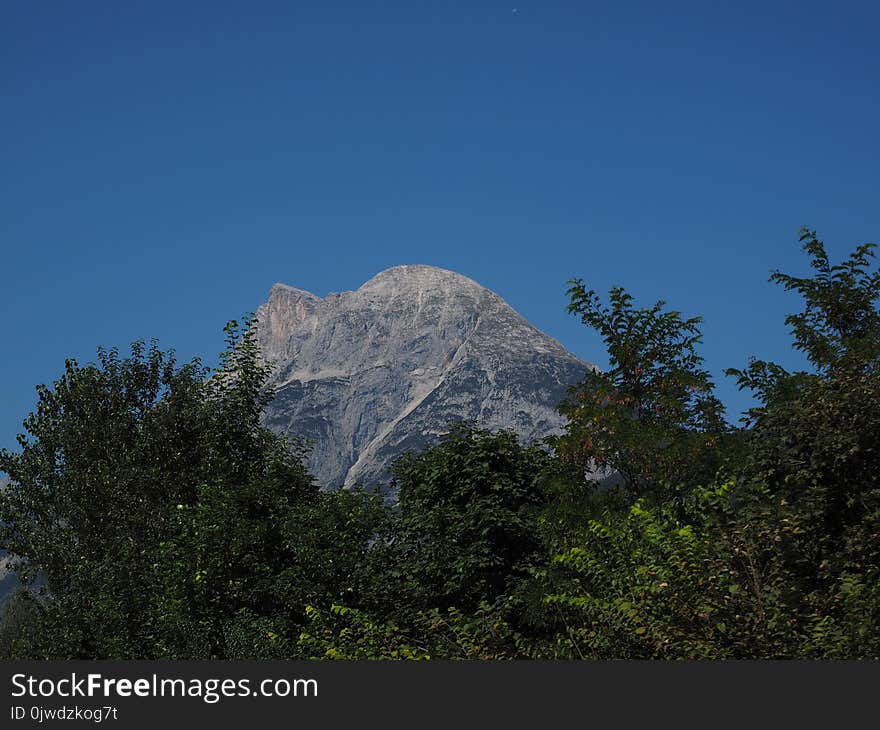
[368,375]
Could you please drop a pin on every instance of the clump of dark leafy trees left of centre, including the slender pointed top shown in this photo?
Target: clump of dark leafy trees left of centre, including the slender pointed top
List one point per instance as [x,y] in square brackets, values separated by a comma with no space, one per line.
[166,520]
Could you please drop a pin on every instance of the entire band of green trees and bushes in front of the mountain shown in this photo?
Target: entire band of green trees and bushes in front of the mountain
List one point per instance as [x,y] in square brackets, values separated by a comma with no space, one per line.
[167,523]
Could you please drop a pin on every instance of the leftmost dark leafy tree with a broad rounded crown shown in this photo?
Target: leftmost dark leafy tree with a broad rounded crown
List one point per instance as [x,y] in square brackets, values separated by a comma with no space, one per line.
[109,447]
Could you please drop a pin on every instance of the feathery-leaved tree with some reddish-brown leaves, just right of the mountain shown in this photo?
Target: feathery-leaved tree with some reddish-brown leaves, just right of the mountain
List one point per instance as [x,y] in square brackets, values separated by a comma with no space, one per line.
[652,417]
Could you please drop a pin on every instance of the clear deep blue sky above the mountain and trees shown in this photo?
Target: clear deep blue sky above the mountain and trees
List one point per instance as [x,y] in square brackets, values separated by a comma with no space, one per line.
[162,164]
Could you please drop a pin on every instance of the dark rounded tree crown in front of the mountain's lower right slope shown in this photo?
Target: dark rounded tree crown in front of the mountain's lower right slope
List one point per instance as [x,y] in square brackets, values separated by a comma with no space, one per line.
[468,515]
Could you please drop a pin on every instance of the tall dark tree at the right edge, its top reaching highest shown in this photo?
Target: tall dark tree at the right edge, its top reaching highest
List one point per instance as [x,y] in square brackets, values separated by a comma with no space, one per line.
[813,451]
